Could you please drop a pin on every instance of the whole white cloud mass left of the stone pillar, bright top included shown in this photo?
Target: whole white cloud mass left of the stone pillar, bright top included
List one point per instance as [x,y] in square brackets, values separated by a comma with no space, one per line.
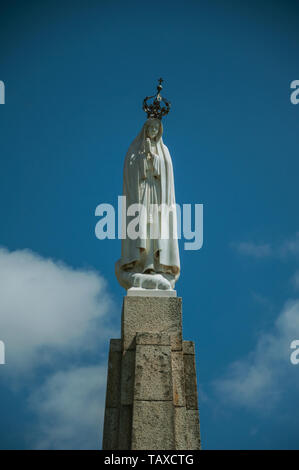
[53,315]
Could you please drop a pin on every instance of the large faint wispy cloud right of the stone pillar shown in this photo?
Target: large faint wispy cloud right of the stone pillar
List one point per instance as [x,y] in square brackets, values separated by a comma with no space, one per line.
[259,380]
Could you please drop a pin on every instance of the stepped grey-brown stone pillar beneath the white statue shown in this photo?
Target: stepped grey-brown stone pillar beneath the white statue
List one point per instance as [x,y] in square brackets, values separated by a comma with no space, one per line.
[151,397]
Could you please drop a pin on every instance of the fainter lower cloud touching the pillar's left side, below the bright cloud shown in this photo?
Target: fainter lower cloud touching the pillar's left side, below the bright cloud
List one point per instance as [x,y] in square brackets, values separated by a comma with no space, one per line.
[70,406]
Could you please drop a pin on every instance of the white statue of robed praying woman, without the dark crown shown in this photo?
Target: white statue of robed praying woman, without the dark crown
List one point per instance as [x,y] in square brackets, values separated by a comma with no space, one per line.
[150,261]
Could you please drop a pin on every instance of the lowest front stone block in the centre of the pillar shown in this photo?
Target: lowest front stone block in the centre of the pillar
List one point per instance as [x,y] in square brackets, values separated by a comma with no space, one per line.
[153,425]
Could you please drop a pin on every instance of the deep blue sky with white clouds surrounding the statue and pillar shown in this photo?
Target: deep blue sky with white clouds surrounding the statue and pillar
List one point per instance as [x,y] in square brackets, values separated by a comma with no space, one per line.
[75,75]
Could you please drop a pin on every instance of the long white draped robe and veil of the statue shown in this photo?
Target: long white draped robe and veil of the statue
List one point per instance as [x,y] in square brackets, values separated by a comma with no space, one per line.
[150,181]
